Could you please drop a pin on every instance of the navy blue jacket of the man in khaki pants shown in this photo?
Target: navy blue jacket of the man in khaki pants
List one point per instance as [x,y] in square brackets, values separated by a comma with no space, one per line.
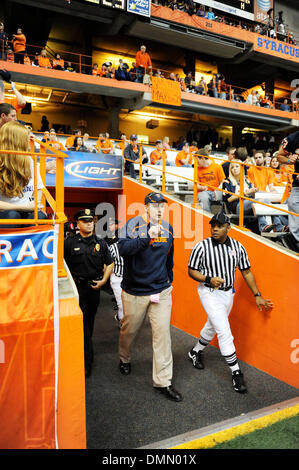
[148,263]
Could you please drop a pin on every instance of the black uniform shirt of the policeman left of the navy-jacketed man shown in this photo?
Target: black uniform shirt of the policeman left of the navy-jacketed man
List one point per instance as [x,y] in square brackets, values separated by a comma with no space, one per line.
[86,257]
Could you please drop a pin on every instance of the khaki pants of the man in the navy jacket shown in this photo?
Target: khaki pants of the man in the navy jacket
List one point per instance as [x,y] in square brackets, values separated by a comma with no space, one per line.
[135,310]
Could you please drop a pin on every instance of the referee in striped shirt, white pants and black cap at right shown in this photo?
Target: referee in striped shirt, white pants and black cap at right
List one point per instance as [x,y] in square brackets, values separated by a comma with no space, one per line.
[213,263]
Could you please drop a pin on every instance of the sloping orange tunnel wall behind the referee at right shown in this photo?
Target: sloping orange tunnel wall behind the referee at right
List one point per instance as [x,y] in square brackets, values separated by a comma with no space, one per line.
[263,340]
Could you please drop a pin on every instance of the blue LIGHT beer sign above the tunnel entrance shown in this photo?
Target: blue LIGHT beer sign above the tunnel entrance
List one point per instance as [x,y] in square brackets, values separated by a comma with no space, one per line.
[90,170]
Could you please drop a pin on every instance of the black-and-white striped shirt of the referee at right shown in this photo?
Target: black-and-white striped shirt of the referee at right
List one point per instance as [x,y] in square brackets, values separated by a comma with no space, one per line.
[219,259]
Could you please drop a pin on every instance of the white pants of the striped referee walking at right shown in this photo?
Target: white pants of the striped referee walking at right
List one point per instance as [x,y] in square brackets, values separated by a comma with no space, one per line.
[217,305]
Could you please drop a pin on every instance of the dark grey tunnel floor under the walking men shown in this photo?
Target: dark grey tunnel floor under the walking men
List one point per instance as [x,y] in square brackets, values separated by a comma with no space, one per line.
[124,412]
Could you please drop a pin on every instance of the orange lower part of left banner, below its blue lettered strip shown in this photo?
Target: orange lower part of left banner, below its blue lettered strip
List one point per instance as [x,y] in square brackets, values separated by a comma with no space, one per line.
[27,368]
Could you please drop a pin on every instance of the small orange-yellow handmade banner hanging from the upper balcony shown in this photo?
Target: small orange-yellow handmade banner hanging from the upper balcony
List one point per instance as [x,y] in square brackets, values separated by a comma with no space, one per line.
[166,91]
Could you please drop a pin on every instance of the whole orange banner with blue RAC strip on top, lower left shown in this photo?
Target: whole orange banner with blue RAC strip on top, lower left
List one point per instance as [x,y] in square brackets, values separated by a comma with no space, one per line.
[29,338]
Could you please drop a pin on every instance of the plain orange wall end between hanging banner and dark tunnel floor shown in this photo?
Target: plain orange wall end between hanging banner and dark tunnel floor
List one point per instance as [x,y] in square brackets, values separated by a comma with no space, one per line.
[71,379]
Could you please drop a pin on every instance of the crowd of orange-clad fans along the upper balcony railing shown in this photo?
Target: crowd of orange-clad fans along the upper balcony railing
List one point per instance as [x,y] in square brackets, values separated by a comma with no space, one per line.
[140,71]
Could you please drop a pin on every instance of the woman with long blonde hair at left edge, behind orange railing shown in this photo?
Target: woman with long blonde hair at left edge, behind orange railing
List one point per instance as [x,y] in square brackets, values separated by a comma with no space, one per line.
[17,176]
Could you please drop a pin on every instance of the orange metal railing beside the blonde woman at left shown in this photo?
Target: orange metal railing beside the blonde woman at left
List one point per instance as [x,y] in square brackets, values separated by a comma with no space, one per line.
[57,204]
